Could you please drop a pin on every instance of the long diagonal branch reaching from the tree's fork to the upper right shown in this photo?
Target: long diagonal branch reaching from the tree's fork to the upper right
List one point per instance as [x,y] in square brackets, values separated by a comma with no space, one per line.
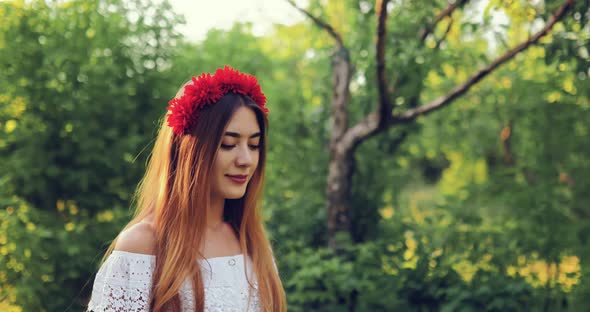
[461,89]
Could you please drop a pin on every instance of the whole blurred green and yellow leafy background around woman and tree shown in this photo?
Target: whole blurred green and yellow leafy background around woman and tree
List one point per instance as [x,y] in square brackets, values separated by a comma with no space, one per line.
[480,206]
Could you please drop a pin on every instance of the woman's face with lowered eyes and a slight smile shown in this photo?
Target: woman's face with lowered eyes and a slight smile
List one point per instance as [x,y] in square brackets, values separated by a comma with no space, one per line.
[237,157]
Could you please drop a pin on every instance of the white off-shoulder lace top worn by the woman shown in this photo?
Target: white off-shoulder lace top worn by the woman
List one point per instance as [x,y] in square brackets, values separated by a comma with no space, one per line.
[124,282]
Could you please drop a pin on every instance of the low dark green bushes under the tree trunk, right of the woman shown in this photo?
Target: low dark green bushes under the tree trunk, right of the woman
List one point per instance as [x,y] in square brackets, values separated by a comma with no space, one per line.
[319,280]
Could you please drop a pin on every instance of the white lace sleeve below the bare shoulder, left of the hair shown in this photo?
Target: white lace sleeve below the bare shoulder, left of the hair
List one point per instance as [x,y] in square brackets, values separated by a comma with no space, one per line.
[123,283]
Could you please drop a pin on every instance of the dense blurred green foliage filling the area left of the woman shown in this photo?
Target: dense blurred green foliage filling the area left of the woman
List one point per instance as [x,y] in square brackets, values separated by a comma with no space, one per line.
[83,84]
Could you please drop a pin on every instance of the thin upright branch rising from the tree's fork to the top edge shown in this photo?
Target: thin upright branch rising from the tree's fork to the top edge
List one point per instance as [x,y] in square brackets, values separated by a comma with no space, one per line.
[384,101]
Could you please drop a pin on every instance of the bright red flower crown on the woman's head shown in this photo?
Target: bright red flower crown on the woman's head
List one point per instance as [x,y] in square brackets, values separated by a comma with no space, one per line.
[207,90]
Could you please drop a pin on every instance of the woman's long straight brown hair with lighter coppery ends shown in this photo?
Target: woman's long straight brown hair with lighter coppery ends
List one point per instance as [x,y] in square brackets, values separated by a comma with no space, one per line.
[175,190]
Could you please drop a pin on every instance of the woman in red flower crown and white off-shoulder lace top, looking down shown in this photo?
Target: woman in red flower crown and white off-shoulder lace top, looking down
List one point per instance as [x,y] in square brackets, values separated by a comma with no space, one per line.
[196,241]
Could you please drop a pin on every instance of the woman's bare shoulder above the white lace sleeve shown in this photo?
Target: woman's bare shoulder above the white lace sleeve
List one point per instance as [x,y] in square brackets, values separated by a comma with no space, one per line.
[139,238]
